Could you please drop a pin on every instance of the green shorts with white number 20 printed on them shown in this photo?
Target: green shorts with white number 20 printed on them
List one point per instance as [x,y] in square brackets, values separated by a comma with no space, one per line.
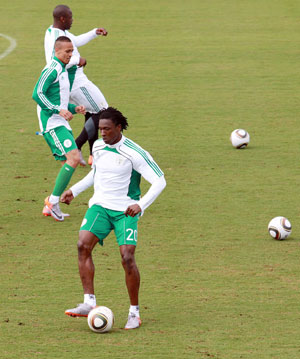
[101,221]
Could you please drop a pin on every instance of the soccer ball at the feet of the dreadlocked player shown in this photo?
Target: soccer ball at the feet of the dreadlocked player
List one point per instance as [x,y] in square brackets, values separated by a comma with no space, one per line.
[100,319]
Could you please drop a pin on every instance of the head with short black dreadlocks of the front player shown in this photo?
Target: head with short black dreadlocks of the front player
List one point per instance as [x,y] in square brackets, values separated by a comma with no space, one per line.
[111,124]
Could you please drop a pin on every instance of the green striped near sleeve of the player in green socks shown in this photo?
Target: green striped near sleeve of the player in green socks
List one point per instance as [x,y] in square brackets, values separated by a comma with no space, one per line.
[39,95]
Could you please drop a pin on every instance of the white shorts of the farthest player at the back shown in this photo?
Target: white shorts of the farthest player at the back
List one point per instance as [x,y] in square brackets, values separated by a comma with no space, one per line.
[90,96]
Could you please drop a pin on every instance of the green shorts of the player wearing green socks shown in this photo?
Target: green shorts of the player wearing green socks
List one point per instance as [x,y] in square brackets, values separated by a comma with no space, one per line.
[61,141]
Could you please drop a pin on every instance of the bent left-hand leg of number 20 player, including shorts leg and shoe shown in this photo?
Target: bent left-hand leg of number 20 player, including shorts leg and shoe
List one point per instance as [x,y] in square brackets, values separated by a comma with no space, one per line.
[94,228]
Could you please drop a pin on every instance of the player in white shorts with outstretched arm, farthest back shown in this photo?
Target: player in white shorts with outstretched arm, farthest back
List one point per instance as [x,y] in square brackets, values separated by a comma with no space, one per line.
[83,91]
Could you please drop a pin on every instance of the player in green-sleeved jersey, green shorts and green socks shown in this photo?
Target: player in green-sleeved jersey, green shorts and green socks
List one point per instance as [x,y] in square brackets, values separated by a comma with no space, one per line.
[51,93]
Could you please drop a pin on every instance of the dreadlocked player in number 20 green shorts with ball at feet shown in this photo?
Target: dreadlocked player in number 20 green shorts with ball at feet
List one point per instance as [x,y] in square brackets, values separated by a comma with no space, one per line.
[116,205]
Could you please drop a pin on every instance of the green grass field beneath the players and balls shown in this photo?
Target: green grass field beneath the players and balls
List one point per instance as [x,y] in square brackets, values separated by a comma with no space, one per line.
[186,73]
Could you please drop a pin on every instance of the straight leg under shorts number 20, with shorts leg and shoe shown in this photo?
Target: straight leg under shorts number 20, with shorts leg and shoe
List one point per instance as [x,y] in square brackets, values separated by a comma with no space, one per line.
[126,233]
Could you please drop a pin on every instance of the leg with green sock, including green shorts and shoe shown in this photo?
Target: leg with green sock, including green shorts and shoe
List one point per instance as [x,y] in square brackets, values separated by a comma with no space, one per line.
[63,147]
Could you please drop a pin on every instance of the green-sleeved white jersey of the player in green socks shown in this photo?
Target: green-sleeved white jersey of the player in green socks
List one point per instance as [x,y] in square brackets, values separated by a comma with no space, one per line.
[52,92]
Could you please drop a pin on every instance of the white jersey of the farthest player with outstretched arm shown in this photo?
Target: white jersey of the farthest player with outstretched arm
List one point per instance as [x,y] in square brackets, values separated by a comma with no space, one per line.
[76,74]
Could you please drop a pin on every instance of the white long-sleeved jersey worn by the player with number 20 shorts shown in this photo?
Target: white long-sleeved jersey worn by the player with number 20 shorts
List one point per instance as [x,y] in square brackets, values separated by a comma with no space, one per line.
[116,175]
